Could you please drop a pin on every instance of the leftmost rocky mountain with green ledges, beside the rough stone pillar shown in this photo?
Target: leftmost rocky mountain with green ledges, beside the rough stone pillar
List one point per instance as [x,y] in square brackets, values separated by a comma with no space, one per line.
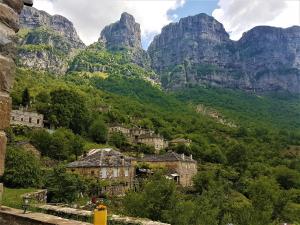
[46,42]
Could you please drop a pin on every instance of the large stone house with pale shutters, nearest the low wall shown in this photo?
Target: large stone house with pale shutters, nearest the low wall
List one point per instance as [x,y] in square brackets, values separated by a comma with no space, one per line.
[108,165]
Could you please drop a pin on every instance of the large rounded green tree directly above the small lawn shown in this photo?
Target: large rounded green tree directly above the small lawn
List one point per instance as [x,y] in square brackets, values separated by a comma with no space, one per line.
[22,169]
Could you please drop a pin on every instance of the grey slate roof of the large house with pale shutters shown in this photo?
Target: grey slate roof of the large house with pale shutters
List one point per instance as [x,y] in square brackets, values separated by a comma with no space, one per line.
[106,157]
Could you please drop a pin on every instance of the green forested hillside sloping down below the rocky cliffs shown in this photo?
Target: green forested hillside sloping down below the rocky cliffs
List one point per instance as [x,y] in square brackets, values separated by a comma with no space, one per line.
[246,173]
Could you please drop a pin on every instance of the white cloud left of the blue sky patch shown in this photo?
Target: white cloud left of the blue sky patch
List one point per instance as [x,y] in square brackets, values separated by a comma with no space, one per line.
[91,16]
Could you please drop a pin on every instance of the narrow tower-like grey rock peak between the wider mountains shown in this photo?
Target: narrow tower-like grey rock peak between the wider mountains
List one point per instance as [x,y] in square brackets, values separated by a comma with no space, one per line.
[125,33]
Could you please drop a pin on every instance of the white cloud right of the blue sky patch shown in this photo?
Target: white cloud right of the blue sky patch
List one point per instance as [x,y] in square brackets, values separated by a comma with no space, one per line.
[239,16]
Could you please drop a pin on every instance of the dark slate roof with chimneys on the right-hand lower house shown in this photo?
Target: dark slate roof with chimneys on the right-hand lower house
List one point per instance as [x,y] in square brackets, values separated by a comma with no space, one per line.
[168,157]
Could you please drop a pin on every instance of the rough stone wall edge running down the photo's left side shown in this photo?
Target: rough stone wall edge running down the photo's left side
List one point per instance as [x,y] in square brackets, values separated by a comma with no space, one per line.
[9,25]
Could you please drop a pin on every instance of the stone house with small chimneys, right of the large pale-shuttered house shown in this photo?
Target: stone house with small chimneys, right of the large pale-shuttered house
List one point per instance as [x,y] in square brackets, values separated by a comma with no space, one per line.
[180,168]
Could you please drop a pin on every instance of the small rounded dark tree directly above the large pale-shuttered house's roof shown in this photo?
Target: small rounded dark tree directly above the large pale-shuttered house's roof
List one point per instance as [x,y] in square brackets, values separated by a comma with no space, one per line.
[98,131]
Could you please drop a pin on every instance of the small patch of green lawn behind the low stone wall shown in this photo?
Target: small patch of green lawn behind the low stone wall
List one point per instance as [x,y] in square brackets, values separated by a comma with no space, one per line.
[12,197]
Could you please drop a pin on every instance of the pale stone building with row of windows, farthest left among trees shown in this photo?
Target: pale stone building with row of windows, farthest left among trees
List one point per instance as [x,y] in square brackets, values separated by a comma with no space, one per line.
[26,118]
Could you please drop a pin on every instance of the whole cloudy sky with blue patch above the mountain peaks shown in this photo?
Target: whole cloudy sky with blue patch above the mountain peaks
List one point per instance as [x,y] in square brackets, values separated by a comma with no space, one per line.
[238,16]
